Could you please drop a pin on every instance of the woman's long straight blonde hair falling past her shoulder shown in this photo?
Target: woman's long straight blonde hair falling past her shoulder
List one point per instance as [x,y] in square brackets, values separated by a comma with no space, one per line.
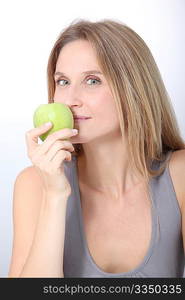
[144,108]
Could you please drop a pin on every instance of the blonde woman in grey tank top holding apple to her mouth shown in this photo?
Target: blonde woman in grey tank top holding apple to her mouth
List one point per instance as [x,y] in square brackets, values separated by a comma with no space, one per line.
[109,201]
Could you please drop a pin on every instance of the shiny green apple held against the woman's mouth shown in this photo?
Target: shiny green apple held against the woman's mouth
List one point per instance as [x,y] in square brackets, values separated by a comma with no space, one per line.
[57,113]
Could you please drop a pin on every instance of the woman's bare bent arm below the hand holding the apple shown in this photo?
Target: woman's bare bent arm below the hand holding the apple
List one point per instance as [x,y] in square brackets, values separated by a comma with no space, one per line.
[39,228]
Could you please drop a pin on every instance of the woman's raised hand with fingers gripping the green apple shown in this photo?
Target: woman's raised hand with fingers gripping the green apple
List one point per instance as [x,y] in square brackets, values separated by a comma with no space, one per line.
[49,156]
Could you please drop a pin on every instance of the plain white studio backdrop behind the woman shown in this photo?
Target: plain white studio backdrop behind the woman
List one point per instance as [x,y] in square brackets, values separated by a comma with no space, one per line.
[28,30]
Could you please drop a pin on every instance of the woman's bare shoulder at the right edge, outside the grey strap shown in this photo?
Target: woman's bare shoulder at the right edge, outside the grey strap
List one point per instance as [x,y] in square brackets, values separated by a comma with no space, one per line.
[177,172]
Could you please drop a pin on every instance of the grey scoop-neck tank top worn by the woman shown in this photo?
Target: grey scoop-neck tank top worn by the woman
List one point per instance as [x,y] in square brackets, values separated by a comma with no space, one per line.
[165,254]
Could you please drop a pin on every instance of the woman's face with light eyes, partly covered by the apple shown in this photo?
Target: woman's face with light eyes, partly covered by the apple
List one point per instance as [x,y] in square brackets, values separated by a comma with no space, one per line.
[80,84]
